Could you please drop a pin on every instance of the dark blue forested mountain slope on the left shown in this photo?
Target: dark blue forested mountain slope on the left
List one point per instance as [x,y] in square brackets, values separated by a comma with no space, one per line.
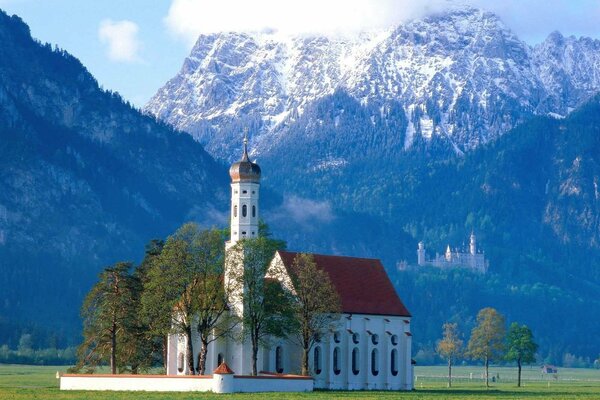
[85,180]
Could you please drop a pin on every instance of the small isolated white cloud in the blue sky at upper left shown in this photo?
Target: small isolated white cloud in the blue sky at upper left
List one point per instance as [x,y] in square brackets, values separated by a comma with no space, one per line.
[121,38]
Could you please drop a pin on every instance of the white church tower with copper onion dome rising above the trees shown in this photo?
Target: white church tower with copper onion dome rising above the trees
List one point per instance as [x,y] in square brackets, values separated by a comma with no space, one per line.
[245,185]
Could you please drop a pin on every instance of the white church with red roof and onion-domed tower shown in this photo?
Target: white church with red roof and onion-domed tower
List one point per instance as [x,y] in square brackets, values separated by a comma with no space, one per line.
[368,347]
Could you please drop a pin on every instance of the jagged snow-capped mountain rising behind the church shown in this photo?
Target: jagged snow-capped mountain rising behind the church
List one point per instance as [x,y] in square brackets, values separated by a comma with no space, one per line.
[461,76]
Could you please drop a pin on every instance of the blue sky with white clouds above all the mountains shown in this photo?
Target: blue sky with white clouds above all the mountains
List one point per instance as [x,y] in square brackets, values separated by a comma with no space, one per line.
[135,46]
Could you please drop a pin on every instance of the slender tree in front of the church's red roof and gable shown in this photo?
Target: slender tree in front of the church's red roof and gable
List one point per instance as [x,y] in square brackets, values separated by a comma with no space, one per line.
[316,304]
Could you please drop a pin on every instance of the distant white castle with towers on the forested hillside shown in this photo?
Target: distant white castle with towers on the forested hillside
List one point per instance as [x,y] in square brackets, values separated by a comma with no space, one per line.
[472,259]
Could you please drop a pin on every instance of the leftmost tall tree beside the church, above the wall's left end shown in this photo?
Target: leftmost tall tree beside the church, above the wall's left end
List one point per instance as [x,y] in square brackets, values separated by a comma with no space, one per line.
[108,313]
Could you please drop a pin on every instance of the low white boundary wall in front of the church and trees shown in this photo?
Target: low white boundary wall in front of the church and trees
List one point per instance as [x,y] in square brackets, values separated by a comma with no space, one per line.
[218,383]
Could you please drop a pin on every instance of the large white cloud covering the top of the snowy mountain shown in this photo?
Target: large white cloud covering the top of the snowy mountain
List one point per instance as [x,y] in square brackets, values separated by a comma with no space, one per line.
[189,18]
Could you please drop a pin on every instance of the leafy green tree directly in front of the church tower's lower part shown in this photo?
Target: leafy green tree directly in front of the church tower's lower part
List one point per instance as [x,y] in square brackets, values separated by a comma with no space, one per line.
[263,306]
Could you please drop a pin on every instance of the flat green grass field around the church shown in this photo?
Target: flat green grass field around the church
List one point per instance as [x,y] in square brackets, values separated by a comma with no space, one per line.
[32,382]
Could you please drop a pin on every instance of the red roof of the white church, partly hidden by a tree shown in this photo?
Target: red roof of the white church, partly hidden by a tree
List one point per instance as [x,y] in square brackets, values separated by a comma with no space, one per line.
[362,284]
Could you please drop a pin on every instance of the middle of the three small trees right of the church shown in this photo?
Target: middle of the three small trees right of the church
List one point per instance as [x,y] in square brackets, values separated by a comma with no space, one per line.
[487,338]
